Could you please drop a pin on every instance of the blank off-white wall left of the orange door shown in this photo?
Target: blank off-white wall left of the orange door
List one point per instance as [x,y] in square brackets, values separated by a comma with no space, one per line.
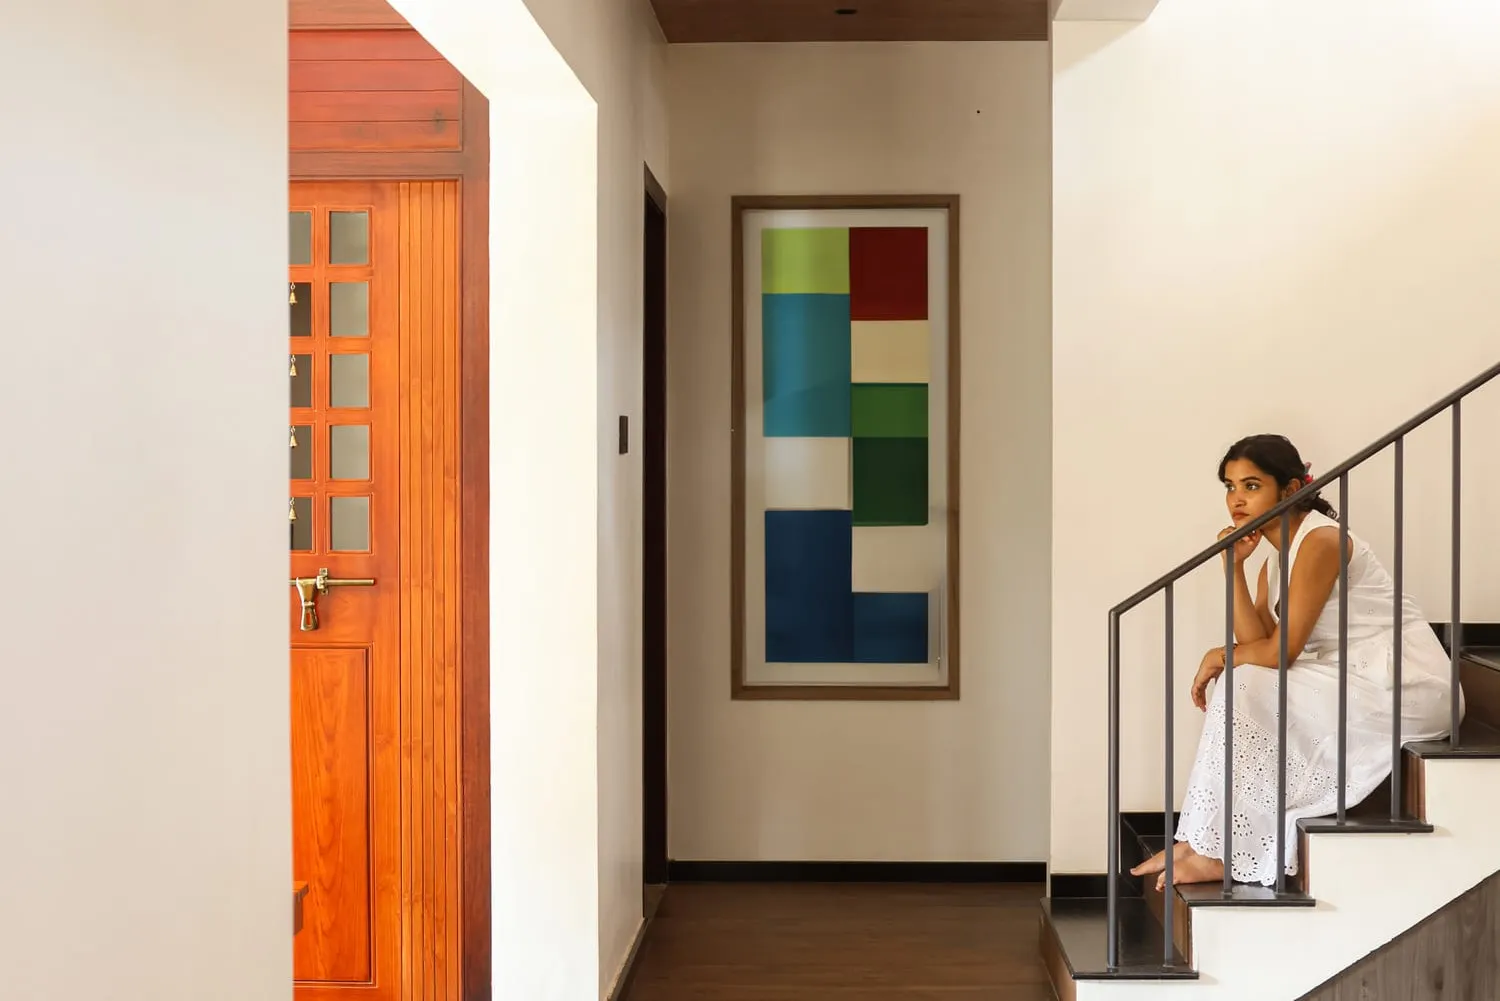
[146,819]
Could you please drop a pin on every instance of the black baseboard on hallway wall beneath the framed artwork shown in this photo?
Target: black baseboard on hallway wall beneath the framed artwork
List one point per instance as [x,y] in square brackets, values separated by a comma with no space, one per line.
[682,871]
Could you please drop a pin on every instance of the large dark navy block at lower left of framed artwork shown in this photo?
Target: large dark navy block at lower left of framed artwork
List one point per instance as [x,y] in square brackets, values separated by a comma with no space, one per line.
[809,588]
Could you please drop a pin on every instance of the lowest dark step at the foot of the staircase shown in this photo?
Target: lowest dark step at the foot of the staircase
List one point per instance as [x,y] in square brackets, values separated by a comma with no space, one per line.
[1081,928]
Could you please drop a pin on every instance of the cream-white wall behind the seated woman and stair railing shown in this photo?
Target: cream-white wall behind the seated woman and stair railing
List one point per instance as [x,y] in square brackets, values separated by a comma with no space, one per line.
[1276,217]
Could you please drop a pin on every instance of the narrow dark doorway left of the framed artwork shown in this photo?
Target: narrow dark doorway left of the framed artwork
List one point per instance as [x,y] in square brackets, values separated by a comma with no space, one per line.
[653,445]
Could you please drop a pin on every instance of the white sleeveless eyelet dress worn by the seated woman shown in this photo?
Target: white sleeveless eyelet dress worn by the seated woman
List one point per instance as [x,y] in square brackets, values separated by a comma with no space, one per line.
[1313,718]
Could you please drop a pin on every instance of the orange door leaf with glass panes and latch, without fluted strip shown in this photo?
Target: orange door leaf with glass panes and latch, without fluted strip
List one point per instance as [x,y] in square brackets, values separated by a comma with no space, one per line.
[347,804]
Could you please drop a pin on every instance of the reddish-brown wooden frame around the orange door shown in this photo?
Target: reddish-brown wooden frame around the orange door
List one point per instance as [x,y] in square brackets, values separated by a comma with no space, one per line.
[470,167]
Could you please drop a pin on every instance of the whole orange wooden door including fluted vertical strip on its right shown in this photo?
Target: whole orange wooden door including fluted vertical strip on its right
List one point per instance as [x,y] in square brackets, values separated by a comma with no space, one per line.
[374,691]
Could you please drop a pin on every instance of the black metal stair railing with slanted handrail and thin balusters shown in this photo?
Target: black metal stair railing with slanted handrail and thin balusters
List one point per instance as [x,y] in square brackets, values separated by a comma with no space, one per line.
[1165,586]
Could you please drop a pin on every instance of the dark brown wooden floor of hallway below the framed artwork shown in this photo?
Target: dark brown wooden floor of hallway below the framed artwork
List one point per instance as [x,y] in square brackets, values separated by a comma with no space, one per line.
[844,943]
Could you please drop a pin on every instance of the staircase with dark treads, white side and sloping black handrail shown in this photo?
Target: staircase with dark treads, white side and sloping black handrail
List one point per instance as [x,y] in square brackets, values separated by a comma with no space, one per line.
[1393,861]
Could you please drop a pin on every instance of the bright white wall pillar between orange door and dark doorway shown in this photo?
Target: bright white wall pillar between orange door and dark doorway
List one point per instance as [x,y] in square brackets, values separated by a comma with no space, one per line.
[577,100]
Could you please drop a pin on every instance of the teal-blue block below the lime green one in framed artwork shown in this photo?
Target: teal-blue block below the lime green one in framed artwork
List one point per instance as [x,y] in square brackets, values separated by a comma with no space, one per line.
[806,365]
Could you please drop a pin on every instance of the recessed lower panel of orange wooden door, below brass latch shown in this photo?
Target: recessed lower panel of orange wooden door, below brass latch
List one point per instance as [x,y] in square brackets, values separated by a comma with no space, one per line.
[331,736]
